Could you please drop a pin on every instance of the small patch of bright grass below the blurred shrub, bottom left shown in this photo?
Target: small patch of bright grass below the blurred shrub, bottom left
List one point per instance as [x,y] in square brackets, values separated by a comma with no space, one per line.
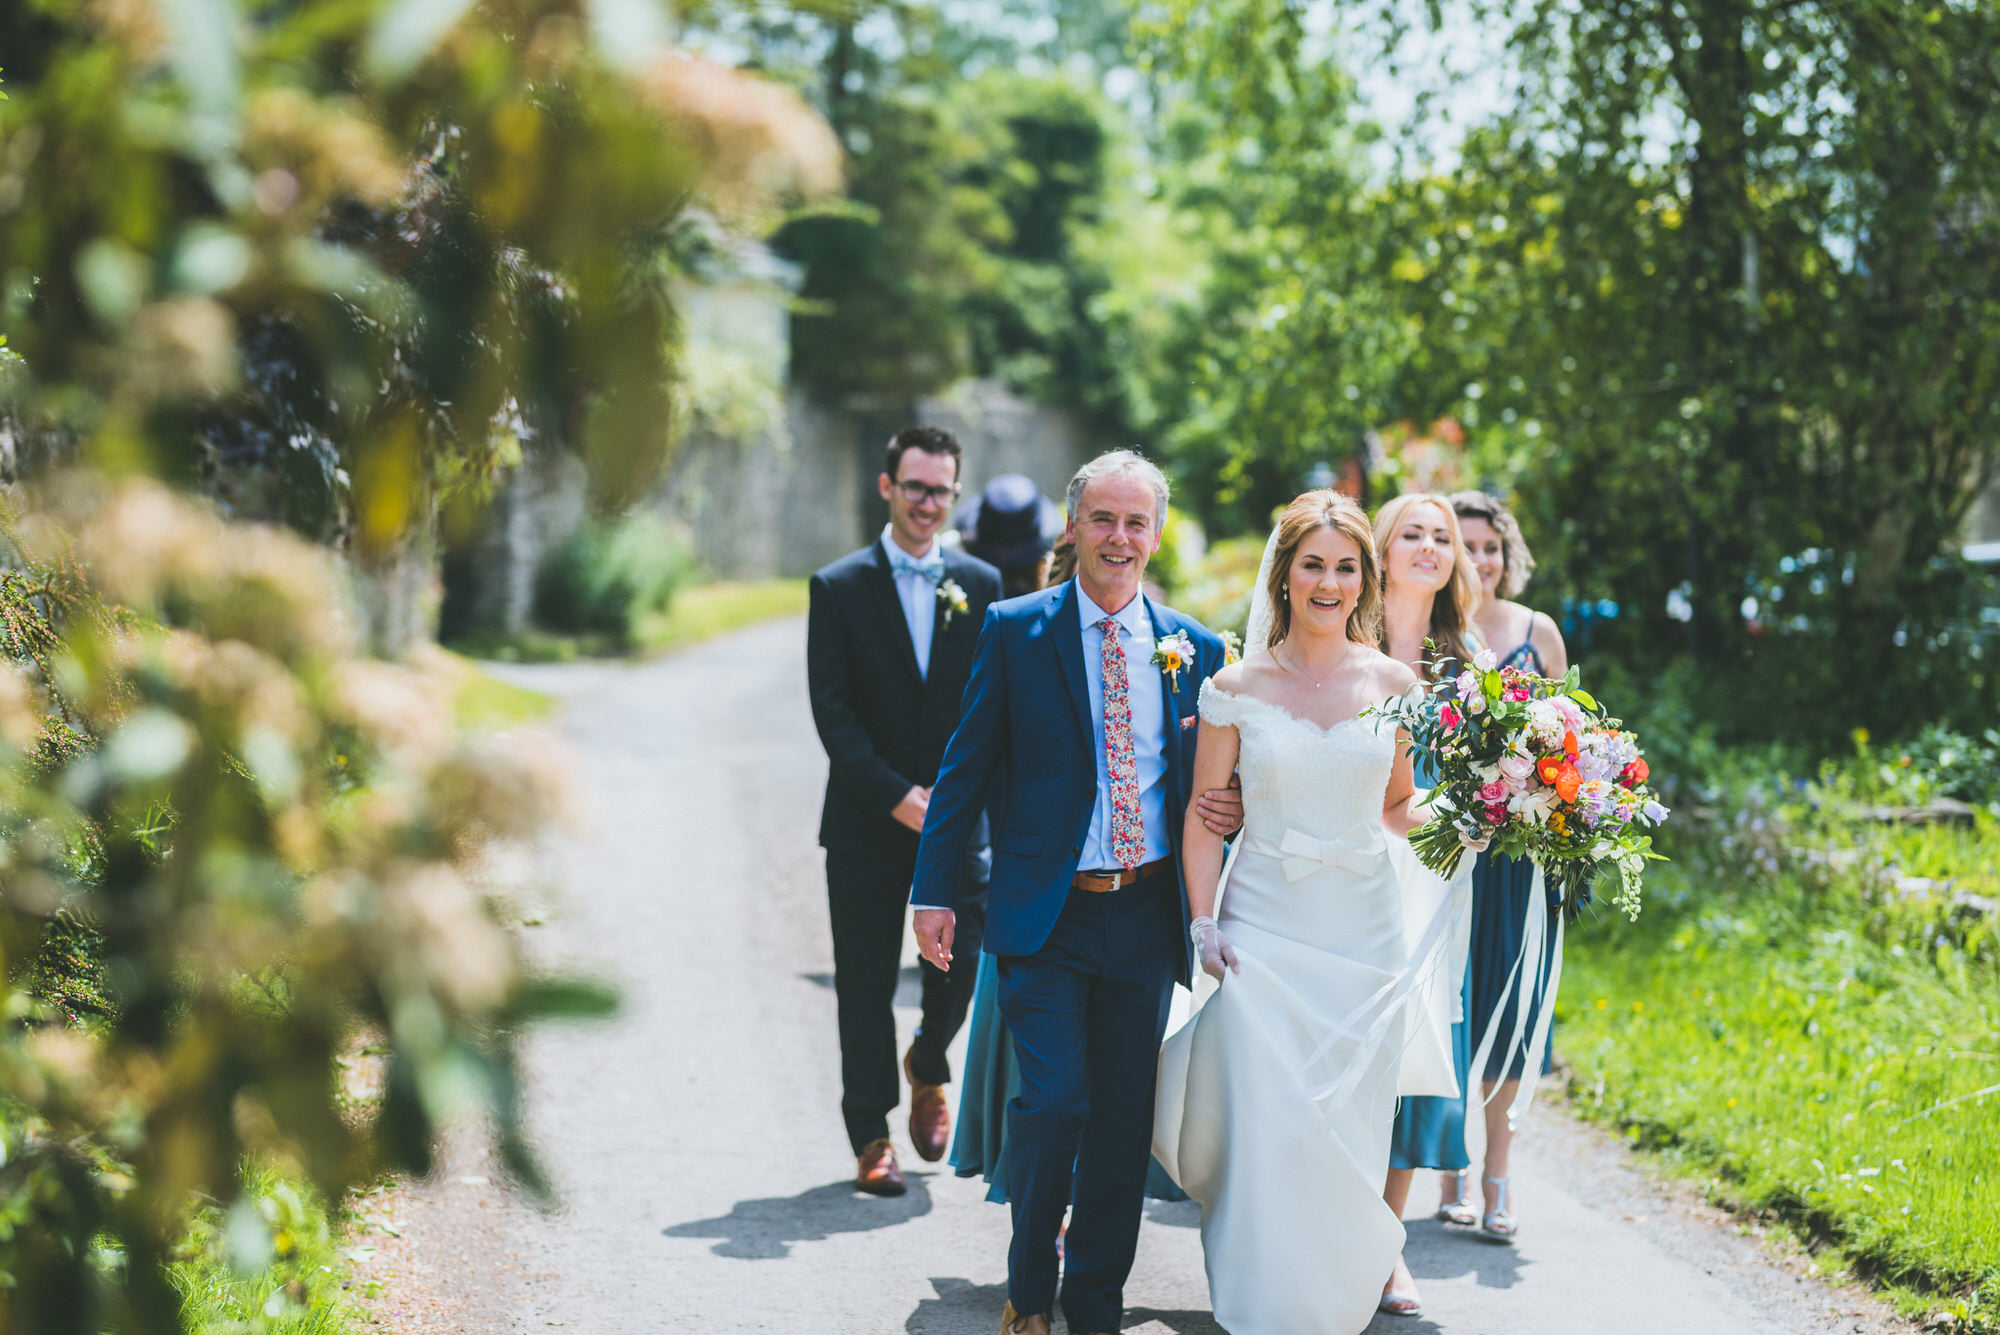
[287,1274]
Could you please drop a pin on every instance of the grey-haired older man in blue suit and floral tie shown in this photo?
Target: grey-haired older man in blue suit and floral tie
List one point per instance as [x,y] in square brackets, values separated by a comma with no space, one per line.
[1073,704]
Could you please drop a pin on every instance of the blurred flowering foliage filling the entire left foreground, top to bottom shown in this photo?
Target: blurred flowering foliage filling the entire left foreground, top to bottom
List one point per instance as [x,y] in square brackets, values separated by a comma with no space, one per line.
[321,261]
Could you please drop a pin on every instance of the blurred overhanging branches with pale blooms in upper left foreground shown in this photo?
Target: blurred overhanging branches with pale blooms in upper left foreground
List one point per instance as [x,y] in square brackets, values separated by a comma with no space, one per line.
[337,259]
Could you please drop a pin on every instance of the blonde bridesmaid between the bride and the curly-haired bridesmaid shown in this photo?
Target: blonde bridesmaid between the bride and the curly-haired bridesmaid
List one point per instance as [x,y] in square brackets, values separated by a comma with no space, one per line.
[1431,595]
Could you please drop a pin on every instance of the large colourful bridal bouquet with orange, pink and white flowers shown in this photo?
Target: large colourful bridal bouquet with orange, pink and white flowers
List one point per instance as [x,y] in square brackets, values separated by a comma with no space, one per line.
[1535,768]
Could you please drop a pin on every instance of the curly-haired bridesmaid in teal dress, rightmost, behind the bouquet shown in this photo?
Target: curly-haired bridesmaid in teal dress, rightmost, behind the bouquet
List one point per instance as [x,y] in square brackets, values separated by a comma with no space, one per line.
[1501,886]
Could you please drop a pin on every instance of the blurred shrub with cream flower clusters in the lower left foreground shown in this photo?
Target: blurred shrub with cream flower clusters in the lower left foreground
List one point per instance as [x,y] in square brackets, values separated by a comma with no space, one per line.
[275,846]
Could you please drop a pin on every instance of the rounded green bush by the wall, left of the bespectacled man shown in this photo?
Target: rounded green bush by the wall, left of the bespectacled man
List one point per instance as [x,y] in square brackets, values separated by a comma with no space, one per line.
[613,575]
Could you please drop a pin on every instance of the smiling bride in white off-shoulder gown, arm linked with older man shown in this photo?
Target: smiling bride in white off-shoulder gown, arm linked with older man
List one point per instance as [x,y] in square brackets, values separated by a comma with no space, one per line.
[1277,1098]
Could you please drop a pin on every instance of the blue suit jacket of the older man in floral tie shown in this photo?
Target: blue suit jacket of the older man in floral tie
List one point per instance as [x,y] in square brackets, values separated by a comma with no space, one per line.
[1027,720]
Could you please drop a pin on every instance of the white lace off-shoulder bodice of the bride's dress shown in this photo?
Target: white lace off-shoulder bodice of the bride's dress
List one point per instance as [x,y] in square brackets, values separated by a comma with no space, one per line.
[1303,776]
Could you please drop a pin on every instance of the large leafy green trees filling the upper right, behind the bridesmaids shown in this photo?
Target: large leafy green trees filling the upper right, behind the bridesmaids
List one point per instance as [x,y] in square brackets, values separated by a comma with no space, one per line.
[1735,265]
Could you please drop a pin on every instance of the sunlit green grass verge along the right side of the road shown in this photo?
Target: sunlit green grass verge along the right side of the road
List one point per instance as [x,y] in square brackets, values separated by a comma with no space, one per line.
[1759,1034]
